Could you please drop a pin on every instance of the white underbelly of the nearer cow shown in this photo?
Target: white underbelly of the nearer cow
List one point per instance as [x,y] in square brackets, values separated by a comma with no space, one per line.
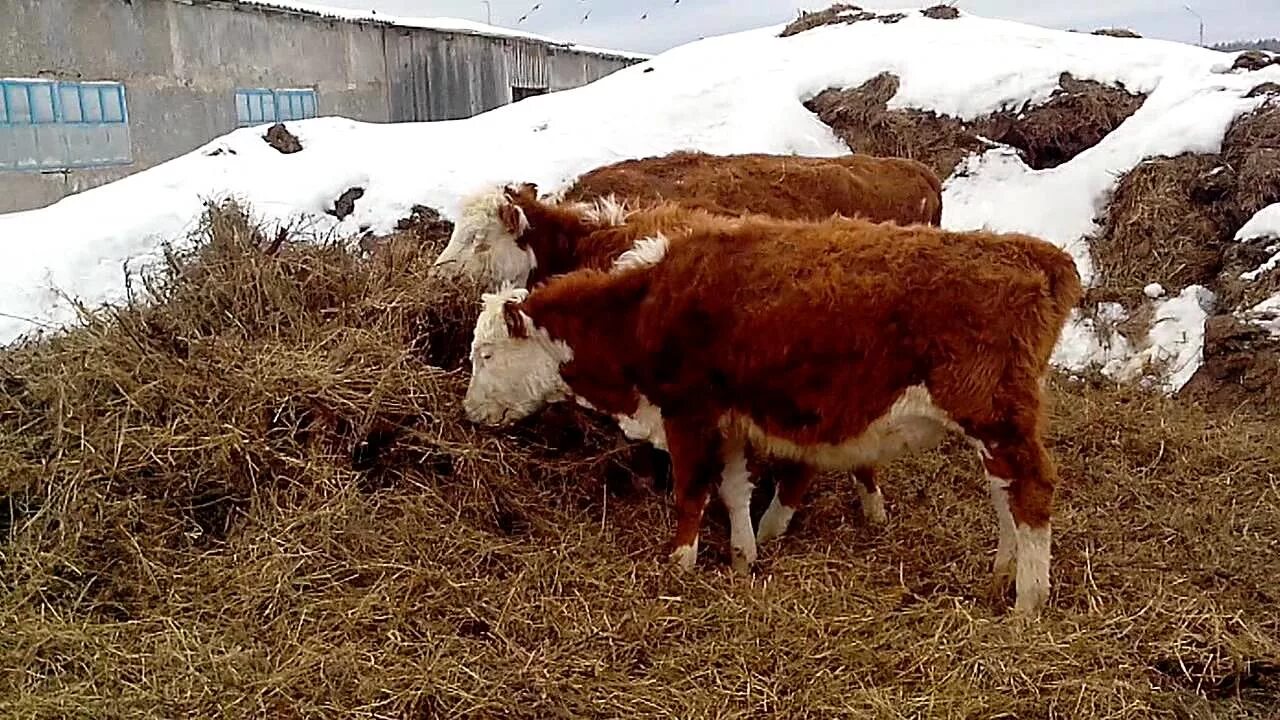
[911,425]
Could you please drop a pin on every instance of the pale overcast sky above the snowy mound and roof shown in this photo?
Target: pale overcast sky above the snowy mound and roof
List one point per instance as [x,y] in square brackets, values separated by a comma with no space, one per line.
[618,24]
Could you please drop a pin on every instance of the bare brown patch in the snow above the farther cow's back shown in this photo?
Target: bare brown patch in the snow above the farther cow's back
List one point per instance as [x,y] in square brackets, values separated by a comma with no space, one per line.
[1077,117]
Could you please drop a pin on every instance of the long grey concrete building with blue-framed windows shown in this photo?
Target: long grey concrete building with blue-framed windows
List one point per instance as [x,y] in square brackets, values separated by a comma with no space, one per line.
[94,90]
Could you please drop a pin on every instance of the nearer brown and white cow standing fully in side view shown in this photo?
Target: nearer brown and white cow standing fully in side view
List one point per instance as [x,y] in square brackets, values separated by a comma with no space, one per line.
[838,343]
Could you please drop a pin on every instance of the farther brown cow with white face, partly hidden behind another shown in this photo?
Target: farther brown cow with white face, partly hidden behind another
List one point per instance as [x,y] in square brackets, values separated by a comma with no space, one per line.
[496,244]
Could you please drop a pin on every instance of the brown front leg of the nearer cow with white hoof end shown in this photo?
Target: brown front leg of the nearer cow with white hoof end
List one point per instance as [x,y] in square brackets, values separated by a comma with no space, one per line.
[696,461]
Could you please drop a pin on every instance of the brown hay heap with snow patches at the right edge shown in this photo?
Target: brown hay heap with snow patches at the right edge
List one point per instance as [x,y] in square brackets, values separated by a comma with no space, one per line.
[1173,221]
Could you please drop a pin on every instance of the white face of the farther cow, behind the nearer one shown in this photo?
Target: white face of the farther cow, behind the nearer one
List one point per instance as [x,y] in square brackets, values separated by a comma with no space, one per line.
[483,245]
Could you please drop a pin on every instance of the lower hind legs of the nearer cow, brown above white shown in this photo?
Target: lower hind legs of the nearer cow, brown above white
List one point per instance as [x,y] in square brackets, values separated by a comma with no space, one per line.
[1022,480]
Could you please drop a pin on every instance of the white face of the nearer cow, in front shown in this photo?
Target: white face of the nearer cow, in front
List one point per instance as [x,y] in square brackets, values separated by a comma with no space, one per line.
[515,367]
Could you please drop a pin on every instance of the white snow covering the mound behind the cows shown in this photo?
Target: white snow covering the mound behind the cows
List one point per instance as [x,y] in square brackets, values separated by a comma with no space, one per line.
[739,93]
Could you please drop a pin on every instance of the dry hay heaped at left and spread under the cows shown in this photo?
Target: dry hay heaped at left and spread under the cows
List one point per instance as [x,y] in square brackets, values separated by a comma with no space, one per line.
[253,494]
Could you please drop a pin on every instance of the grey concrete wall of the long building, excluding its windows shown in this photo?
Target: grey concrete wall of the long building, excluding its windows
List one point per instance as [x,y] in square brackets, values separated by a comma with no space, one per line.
[181,62]
